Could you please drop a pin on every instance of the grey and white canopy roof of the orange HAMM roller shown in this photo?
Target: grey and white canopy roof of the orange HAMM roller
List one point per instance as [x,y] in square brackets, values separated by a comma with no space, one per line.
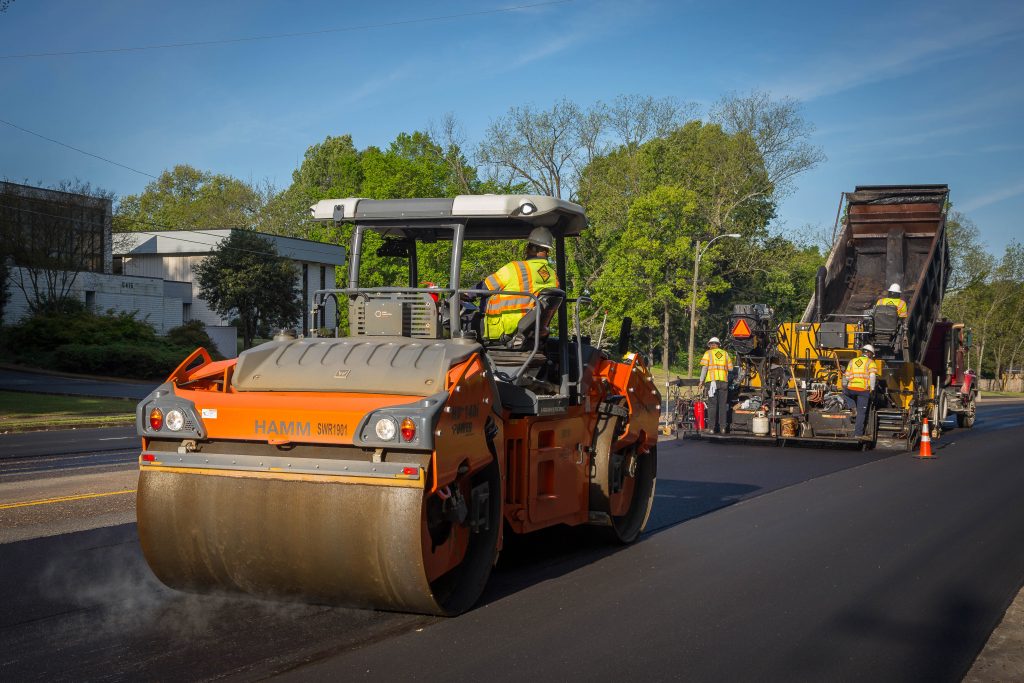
[486,217]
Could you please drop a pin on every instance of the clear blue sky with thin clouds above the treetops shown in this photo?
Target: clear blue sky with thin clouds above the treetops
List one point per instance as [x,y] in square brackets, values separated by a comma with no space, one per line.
[899,93]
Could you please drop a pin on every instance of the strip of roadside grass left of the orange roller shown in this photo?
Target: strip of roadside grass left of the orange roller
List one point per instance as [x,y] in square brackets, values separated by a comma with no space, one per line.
[23,412]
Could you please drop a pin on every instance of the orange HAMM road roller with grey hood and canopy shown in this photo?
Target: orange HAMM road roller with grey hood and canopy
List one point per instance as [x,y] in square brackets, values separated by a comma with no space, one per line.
[383,467]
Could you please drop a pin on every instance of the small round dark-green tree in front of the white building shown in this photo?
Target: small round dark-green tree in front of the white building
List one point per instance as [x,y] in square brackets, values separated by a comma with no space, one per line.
[245,277]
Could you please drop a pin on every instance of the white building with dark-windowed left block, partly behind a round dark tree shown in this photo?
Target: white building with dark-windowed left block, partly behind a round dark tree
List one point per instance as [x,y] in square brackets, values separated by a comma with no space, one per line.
[147,274]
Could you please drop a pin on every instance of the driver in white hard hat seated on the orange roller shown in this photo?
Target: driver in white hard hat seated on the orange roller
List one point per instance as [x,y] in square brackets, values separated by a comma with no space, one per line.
[503,312]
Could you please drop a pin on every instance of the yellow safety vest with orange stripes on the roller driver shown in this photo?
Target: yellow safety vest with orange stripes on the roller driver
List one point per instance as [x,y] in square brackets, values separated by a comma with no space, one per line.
[503,313]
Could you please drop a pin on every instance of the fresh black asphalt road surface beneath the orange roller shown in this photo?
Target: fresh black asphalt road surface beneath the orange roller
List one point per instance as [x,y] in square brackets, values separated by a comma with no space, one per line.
[760,564]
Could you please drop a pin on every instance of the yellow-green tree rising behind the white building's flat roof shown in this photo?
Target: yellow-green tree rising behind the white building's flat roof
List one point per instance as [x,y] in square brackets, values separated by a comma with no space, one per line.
[186,198]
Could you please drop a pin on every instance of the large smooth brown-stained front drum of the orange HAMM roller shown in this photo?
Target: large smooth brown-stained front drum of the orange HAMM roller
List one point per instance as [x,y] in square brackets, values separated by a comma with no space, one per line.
[315,540]
